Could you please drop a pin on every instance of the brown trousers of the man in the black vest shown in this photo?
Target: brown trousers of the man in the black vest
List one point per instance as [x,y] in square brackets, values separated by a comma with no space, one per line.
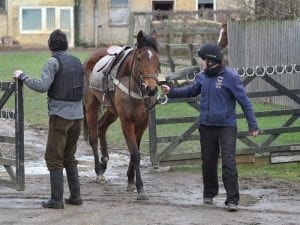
[62,140]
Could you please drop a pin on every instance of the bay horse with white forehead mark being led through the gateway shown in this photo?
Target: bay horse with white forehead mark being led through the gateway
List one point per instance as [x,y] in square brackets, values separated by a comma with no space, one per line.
[134,93]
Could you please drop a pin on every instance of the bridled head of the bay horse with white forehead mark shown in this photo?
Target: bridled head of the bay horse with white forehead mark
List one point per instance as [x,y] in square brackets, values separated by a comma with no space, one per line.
[147,62]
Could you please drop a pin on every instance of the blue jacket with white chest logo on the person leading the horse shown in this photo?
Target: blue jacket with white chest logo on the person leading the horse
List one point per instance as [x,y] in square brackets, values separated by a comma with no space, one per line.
[219,95]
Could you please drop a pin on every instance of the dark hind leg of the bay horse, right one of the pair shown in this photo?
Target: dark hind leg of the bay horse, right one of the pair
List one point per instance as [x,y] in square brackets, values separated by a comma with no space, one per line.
[105,121]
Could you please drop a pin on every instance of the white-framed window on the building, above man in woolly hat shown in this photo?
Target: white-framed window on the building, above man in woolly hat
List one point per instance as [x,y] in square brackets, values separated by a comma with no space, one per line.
[45,19]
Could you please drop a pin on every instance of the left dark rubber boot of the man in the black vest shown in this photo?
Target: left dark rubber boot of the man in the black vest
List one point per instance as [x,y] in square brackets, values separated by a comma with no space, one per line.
[57,190]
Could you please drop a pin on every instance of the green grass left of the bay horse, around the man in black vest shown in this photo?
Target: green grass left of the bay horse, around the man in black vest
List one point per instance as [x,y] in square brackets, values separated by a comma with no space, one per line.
[31,62]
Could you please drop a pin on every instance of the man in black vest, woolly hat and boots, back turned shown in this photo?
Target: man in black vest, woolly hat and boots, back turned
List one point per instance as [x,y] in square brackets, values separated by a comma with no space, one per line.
[63,79]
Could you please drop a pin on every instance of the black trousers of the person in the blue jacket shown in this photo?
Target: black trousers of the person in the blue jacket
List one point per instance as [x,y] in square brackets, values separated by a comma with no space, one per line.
[214,139]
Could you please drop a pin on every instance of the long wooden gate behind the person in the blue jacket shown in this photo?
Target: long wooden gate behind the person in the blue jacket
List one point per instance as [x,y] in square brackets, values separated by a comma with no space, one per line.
[247,147]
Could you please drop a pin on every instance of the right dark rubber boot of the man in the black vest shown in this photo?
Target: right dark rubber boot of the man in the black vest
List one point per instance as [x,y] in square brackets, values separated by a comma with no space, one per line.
[74,186]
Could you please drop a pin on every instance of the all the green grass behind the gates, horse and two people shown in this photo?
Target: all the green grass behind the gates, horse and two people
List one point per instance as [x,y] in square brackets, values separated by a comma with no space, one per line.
[36,112]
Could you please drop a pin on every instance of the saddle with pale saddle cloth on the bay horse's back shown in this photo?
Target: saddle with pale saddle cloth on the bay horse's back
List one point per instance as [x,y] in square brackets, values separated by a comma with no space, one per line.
[106,69]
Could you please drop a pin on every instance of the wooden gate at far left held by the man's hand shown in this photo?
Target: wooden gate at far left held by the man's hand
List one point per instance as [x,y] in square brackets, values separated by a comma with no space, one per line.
[15,177]
